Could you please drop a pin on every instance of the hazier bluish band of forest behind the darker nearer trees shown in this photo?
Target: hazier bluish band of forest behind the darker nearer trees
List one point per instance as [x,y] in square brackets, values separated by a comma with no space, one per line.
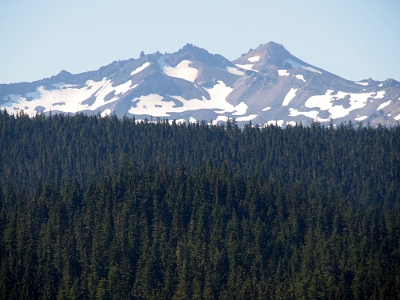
[59,148]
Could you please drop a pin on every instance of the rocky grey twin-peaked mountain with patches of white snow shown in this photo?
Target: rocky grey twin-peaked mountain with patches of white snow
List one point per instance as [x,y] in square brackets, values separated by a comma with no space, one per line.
[266,85]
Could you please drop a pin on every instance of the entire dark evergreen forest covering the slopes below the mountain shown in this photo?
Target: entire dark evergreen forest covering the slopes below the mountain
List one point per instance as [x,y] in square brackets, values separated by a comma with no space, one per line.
[104,208]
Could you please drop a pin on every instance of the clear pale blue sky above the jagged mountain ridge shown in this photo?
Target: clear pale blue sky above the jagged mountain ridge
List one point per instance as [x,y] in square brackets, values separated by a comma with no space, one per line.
[351,38]
